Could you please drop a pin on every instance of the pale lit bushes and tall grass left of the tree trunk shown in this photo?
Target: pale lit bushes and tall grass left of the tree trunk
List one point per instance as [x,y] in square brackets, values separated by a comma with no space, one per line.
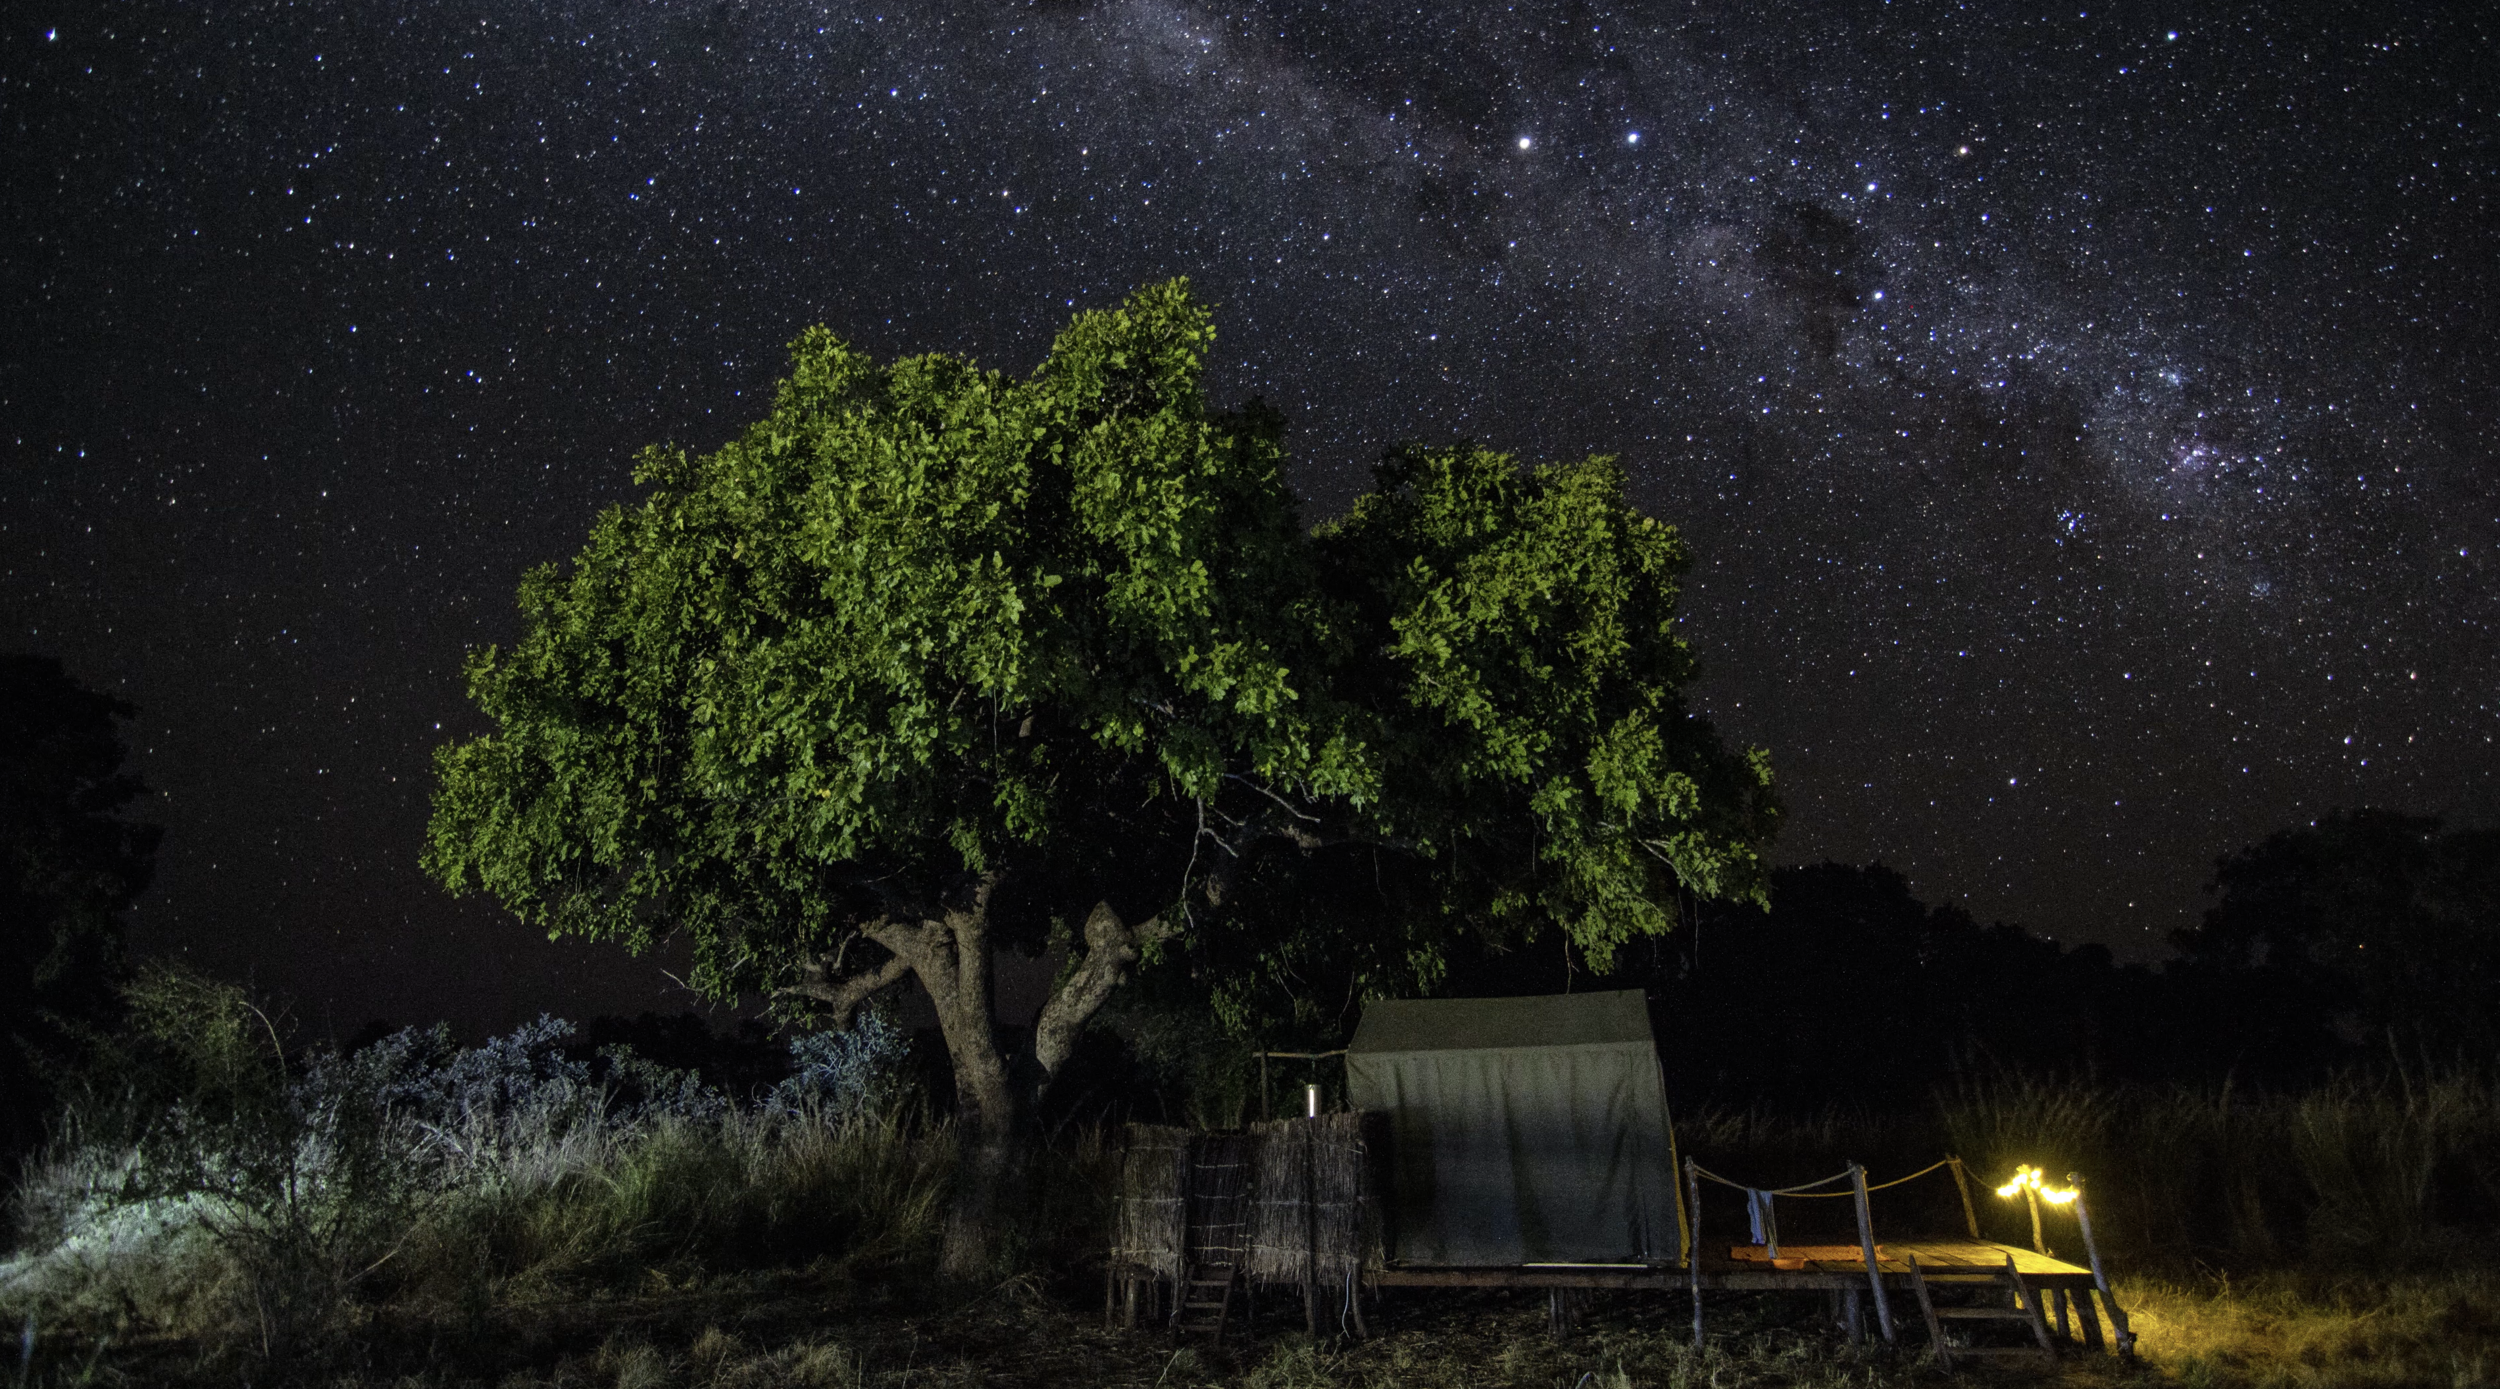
[209,1183]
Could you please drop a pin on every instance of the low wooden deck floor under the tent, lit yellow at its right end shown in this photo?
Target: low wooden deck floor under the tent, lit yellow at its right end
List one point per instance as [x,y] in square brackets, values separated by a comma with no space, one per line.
[1936,1260]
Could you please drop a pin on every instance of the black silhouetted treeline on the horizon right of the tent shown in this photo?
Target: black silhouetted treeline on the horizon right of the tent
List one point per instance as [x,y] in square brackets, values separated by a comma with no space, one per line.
[2359,941]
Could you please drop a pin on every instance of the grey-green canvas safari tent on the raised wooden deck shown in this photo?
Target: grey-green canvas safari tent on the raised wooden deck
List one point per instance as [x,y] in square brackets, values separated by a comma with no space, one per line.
[1524,1130]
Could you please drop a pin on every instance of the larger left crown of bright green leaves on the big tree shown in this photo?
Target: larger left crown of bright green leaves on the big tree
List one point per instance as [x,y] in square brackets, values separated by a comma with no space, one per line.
[914,626]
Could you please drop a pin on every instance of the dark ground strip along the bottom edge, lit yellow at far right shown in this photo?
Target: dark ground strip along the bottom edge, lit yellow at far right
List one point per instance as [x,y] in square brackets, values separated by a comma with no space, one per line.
[839,1333]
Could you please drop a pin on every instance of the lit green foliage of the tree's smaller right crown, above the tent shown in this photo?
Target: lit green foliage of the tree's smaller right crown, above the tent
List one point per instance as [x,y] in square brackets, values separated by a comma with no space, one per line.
[1531,691]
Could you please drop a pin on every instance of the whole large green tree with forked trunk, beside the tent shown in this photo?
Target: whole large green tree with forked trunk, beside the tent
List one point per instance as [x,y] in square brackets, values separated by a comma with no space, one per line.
[934,661]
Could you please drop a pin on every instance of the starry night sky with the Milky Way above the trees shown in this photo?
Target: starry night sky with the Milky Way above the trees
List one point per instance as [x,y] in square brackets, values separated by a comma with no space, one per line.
[2081,416]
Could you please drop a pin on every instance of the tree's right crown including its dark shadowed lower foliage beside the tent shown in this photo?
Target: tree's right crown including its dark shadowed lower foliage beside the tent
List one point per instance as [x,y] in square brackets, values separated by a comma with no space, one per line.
[1521,686]
